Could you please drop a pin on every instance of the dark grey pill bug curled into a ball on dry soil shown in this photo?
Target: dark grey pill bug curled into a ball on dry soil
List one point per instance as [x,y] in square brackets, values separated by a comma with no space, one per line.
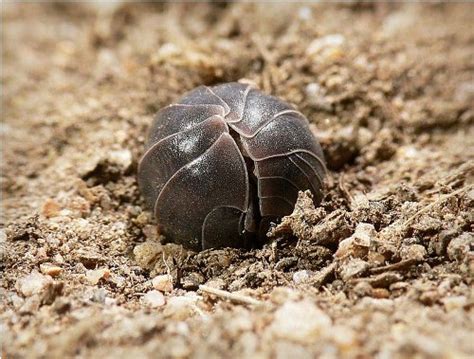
[225,161]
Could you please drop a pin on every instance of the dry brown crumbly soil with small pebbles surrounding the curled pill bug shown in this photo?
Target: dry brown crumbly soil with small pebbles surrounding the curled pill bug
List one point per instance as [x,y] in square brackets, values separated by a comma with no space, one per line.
[383,268]
